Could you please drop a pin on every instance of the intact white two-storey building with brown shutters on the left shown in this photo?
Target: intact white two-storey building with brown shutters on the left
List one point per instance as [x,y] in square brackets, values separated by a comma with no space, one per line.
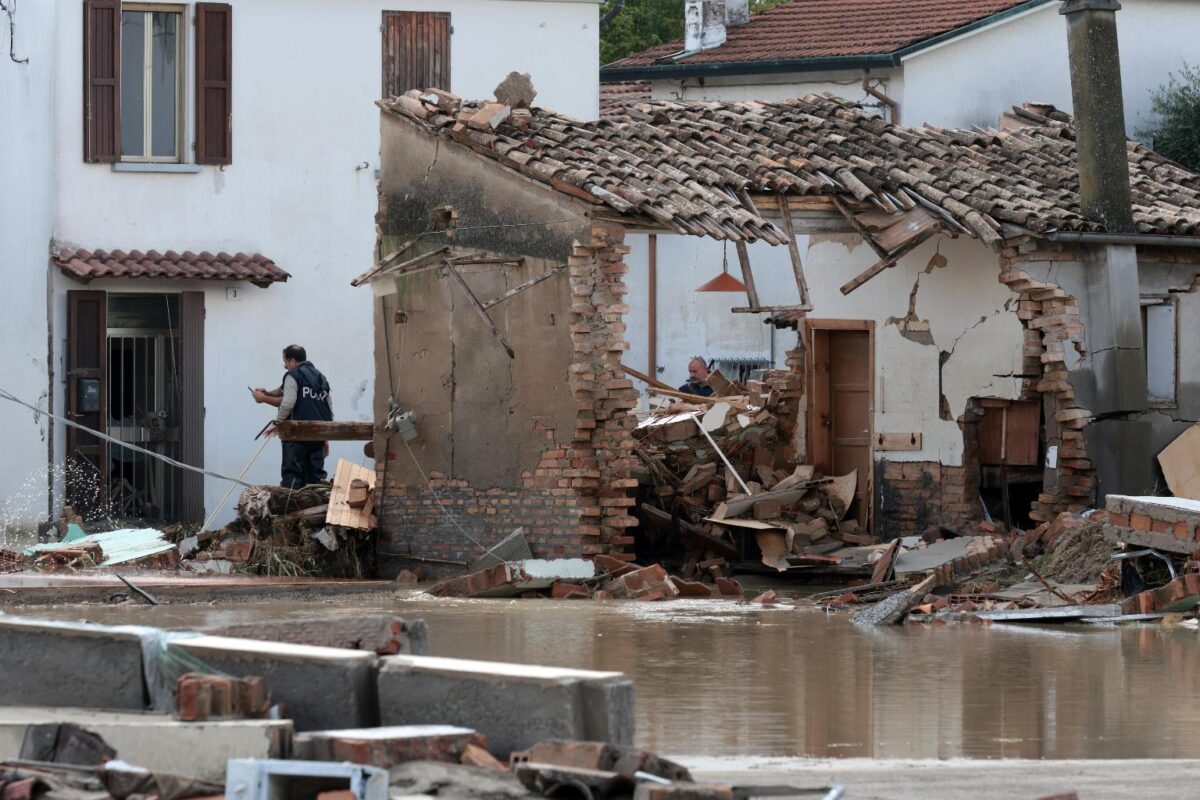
[238,129]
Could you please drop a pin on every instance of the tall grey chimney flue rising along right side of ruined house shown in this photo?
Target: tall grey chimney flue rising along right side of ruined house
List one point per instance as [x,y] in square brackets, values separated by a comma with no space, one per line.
[1114,388]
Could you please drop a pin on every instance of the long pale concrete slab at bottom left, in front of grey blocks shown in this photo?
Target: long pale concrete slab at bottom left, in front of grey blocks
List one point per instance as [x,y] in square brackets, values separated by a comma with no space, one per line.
[157,742]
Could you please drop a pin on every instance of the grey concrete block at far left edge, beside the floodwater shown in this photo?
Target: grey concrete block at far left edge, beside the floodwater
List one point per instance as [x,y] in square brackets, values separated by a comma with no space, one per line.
[75,665]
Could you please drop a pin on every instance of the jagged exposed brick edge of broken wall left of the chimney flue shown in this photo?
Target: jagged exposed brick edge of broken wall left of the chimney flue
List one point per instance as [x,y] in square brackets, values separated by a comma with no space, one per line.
[1053,322]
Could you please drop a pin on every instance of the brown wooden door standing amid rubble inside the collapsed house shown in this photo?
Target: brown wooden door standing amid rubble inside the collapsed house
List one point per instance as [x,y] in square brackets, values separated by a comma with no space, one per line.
[841,430]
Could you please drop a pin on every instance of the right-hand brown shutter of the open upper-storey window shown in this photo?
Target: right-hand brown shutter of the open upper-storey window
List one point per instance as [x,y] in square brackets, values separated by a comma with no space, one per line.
[214,83]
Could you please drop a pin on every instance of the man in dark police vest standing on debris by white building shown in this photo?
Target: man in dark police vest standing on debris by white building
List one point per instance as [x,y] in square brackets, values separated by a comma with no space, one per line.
[304,395]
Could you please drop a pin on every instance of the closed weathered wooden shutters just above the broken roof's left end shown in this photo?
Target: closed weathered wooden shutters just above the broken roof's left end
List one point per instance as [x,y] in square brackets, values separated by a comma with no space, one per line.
[416,51]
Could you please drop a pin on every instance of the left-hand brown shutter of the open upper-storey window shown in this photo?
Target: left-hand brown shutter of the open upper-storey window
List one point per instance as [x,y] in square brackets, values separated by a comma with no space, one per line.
[101,81]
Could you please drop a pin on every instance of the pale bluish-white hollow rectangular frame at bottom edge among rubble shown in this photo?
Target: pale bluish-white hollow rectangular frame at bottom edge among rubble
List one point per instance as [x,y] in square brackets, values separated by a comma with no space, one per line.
[251,779]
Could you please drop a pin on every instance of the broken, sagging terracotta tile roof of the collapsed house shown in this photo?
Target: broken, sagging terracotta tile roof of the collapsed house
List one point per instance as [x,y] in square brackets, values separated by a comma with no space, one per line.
[692,167]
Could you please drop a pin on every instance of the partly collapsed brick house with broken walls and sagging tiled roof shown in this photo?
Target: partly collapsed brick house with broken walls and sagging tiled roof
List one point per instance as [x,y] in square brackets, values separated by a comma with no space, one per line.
[980,312]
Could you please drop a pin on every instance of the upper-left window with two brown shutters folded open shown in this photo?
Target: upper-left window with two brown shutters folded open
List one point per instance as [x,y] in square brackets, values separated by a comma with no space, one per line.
[135,73]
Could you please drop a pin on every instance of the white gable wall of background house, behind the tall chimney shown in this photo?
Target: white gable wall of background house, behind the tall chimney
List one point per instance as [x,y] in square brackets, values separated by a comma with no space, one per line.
[974,80]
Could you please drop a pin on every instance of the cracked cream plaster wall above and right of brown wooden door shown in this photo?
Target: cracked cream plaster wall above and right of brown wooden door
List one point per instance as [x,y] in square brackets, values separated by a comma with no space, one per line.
[971,317]
